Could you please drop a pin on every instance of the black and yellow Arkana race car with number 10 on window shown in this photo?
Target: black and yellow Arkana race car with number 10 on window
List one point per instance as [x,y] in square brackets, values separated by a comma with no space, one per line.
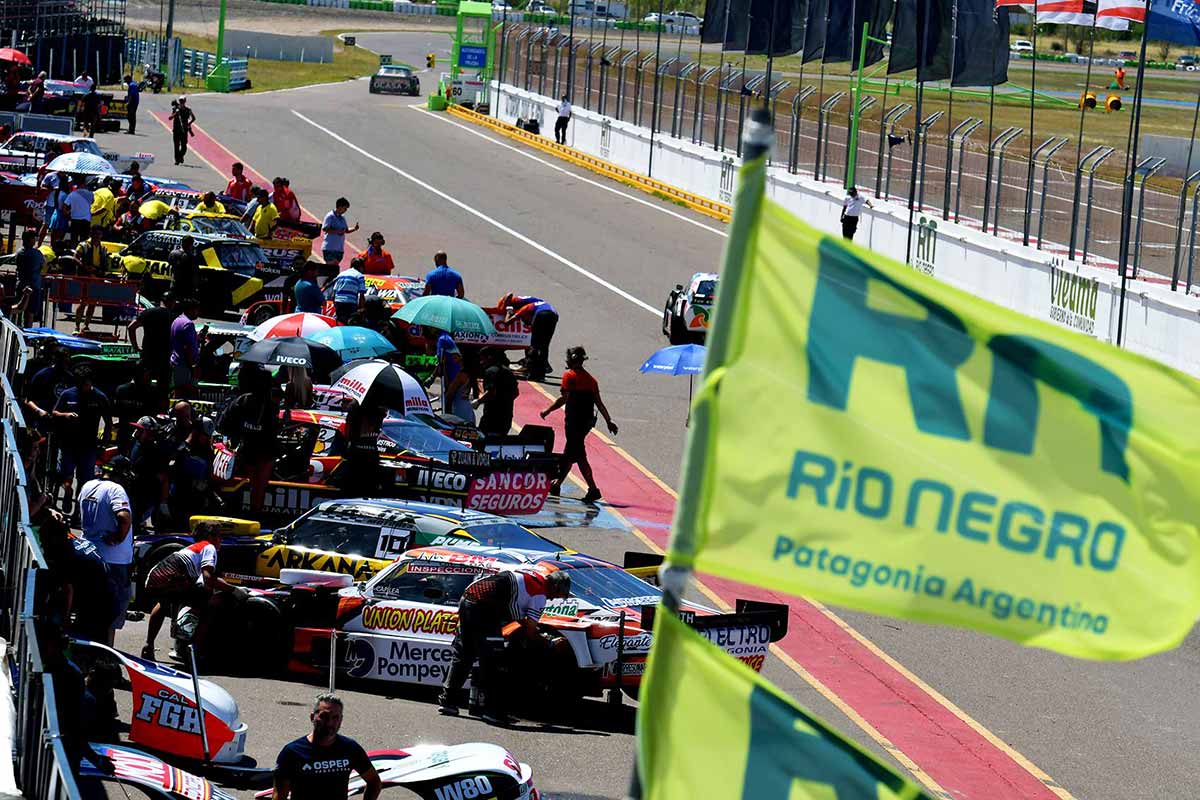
[353,537]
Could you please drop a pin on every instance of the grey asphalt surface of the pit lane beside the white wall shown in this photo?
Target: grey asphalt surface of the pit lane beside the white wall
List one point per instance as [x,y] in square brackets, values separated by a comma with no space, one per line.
[1101,731]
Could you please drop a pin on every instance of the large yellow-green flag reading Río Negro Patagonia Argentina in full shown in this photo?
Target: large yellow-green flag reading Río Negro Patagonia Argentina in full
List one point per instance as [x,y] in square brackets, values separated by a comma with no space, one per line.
[878,440]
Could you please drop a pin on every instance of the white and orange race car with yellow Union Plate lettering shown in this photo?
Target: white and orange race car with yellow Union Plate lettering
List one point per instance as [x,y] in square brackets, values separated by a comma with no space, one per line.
[399,625]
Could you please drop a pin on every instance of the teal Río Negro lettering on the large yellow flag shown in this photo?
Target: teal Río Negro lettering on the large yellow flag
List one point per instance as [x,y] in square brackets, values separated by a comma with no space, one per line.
[1016,526]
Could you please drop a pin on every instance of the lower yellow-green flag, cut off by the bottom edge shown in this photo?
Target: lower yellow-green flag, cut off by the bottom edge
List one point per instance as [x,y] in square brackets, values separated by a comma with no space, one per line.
[757,743]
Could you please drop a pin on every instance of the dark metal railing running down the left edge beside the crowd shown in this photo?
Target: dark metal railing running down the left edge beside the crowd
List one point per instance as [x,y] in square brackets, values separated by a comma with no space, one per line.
[40,759]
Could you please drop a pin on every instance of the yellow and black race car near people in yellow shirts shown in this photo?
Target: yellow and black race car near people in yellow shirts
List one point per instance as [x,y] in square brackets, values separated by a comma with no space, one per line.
[230,268]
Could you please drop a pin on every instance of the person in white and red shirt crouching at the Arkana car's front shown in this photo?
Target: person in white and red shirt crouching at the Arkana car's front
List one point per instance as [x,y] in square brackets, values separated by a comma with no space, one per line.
[187,578]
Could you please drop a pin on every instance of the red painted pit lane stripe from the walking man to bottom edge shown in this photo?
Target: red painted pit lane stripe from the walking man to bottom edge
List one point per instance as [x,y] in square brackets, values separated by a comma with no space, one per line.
[944,749]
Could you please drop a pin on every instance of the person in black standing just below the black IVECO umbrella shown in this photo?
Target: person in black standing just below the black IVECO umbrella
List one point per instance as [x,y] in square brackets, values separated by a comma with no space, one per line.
[253,425]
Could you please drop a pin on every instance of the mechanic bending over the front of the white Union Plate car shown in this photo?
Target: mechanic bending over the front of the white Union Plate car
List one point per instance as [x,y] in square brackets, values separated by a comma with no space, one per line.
[487,609]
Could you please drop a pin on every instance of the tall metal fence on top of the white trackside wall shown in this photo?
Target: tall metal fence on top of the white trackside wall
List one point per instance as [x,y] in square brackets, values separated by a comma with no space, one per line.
[967,171]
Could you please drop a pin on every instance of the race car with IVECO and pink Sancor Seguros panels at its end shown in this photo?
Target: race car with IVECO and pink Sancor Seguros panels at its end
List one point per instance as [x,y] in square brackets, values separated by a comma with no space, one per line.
[313,448]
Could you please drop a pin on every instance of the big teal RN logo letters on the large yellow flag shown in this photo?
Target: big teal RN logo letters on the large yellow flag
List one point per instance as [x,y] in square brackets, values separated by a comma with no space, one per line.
[843,329]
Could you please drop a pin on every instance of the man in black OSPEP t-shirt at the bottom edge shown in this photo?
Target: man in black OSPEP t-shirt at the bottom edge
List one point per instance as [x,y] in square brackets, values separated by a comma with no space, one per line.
[319,767]
